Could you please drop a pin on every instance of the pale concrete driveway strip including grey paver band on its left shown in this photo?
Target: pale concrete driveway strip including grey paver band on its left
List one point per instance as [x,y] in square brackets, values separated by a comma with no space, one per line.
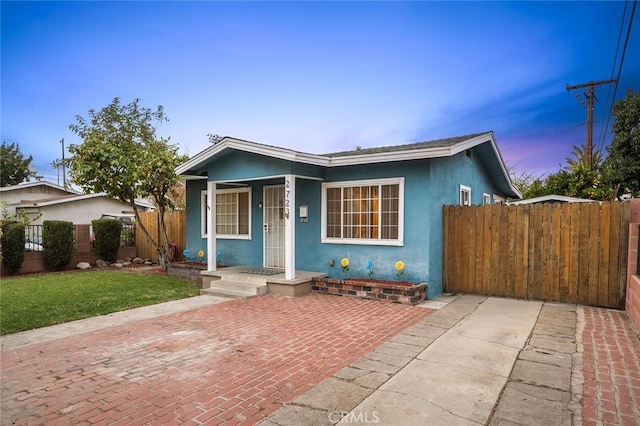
[450,368]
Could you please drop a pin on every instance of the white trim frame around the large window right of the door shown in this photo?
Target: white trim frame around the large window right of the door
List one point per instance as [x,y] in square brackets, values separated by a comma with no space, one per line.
[371,242]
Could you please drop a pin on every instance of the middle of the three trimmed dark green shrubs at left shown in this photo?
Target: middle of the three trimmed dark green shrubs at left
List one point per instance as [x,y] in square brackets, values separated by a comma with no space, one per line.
[57,243]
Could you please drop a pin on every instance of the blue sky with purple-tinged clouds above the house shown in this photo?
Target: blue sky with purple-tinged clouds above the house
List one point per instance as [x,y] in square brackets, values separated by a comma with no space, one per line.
[318,76]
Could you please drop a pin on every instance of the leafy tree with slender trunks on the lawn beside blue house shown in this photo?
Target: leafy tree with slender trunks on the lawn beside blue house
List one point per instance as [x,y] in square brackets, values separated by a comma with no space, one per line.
[121,156]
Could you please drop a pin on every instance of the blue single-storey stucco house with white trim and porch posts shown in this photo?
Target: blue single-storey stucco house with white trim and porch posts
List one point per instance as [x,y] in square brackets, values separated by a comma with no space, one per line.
[280,208]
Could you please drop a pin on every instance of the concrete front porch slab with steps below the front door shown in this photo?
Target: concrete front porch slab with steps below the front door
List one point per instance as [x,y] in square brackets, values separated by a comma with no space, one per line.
[251,281]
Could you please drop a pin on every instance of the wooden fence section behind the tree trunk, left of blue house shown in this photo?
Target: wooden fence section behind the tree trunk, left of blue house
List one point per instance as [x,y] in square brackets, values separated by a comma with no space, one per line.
[176,230]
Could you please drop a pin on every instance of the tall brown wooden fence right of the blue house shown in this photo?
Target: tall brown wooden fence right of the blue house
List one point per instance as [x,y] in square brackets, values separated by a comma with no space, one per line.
[568,252]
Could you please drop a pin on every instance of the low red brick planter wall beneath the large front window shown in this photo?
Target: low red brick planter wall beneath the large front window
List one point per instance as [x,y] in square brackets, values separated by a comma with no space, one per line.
[383,291]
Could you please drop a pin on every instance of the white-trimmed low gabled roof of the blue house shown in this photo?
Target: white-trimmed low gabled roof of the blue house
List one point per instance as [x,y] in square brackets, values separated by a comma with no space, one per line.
[483,143]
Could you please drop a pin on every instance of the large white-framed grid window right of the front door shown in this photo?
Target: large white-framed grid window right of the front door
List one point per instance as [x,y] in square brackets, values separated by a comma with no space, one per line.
[363,212]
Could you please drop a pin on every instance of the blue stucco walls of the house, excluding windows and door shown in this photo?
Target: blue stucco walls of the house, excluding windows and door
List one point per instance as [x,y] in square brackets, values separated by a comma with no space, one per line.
[428,185]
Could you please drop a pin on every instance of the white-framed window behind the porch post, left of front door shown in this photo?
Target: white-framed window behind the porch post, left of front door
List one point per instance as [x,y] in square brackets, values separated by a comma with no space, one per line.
[233,213]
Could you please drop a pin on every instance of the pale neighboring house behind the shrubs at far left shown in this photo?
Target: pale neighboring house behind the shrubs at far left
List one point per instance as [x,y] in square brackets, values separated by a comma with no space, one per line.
[45,201]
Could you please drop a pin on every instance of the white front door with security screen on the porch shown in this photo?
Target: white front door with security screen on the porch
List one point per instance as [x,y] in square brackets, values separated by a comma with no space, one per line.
[273,226]
